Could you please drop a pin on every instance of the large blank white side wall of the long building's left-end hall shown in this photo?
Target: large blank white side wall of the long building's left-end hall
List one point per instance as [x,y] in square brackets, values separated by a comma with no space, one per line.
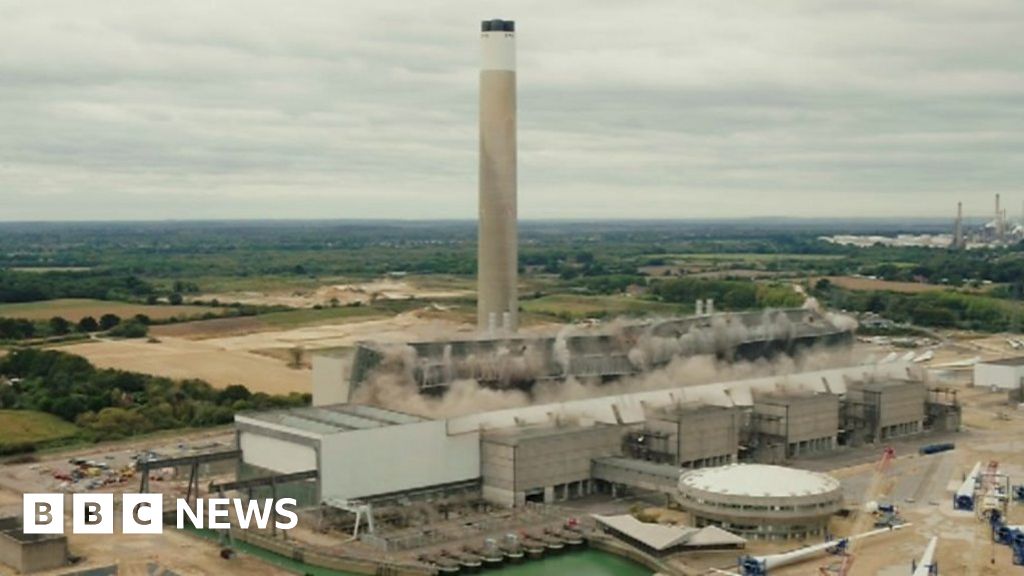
[361,464]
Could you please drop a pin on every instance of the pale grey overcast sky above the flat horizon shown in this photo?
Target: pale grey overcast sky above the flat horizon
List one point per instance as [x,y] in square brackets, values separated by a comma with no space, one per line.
[627,109]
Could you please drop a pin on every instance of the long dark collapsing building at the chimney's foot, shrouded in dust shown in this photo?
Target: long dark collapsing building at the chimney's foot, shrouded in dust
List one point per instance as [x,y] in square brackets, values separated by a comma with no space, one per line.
[628,350]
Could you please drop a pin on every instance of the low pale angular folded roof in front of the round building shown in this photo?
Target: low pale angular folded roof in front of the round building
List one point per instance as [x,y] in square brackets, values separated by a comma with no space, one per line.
[662,539]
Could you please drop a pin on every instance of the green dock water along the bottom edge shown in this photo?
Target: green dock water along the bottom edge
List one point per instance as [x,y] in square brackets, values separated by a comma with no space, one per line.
[584,563]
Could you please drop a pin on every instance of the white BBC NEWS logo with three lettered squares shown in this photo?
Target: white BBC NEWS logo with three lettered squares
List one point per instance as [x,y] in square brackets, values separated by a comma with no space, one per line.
[144,514]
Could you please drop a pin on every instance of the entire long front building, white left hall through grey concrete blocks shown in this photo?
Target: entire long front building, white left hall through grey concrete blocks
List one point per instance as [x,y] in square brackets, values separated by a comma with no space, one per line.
[552,452]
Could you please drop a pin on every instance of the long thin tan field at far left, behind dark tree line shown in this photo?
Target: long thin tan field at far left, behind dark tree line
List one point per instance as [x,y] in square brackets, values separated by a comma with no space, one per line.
[77,309]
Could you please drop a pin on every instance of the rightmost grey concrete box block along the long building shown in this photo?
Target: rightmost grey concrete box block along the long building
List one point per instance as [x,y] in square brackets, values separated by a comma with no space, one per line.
[878,412]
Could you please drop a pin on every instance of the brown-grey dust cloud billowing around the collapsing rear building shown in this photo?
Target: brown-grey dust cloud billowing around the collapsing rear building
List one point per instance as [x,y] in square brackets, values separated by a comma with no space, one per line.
[664,362]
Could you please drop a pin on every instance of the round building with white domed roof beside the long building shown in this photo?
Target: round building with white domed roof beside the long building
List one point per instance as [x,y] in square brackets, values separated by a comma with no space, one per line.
[761,502]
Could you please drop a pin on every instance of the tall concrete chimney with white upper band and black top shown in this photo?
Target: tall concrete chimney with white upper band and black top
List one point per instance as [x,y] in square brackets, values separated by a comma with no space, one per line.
[498,302]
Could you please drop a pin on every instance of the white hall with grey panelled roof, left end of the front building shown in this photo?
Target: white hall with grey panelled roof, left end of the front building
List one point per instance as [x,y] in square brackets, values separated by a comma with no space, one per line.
[357,451]
